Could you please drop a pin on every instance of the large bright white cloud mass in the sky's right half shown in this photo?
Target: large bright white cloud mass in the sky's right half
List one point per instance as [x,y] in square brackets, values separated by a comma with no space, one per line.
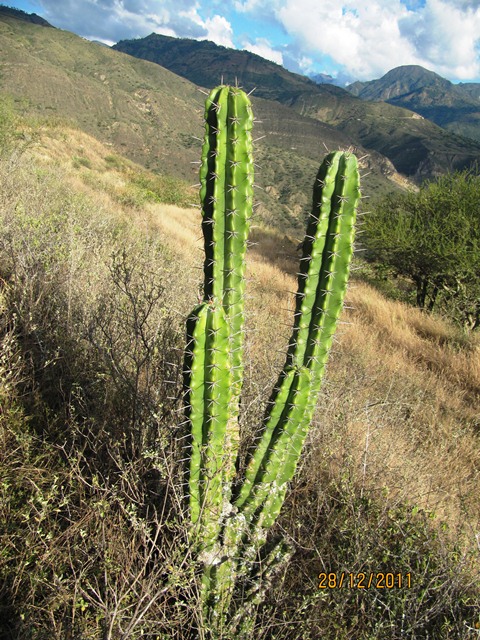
[369,37]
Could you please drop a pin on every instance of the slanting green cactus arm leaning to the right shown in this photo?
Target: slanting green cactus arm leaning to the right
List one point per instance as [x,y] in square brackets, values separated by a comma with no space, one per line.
[328,249]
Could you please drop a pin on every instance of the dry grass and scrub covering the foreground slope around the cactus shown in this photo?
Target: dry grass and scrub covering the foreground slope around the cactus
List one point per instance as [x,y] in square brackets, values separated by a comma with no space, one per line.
[94,290]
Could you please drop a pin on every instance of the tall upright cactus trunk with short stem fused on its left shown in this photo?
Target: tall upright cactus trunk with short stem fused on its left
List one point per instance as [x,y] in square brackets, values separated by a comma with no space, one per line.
[214,355]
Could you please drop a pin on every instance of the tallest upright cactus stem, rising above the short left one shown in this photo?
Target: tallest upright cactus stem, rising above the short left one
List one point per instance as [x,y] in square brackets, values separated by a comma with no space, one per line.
[226,192]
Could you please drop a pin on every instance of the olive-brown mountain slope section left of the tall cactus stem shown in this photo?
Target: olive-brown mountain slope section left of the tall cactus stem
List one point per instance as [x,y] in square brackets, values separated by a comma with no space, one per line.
[143,110]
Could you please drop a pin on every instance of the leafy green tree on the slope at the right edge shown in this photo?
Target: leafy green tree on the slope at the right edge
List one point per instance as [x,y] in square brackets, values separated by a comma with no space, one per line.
[433,238]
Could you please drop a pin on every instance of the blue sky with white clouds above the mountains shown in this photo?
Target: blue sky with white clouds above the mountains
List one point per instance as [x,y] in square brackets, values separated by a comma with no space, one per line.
[349,40]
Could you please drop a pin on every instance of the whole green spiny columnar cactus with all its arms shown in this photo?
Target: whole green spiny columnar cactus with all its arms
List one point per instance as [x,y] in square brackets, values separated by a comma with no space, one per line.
[229,526]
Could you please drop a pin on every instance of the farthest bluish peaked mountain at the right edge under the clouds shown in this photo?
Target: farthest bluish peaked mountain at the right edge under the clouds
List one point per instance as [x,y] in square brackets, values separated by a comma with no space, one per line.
[454,107]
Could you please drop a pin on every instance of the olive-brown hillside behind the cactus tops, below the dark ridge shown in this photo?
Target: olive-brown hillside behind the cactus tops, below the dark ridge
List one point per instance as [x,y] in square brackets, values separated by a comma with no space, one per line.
[153,116]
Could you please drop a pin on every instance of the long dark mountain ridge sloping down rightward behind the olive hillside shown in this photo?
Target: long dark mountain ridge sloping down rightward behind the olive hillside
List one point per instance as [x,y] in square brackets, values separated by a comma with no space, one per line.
[416,147]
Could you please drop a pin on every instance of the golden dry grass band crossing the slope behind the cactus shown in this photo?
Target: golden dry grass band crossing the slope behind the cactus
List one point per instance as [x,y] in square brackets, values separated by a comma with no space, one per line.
[402,391]
